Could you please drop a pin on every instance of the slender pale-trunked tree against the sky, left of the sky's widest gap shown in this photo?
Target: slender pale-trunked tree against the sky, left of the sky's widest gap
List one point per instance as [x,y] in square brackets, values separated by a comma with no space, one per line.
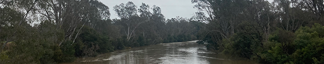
[129,18]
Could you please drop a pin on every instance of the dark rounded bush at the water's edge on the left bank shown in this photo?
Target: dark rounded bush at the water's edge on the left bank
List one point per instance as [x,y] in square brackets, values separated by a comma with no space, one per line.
[90,43]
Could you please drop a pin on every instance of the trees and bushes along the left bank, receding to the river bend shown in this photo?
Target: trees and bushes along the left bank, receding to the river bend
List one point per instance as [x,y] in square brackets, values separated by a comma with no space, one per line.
[67,29]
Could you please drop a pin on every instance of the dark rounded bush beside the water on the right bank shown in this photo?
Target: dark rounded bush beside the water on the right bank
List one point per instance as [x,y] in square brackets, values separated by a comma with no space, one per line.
[244,43]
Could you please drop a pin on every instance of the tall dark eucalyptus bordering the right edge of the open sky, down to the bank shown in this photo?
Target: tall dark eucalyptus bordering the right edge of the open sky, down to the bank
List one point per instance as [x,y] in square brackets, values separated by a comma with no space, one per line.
[224,17]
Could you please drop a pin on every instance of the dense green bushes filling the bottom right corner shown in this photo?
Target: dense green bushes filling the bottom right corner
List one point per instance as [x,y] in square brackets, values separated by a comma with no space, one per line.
[306,48]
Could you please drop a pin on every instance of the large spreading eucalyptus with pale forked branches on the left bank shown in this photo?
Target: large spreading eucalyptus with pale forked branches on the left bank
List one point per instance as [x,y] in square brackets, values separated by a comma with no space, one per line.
[67,16]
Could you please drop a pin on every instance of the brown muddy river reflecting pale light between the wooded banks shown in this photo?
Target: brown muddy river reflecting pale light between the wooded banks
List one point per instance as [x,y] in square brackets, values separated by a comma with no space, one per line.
[164,53]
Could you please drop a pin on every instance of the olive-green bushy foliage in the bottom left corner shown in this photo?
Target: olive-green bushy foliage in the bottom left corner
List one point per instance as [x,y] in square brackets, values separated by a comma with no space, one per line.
[34,49]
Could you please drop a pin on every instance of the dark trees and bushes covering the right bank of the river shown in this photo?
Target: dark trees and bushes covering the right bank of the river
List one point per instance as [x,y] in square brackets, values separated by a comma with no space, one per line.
[282,32]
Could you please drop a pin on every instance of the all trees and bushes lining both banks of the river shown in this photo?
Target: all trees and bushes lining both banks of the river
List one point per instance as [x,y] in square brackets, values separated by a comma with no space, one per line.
[55,31]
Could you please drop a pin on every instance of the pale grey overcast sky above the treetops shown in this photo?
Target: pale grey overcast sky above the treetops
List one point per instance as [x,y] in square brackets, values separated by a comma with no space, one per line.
[170,8]
